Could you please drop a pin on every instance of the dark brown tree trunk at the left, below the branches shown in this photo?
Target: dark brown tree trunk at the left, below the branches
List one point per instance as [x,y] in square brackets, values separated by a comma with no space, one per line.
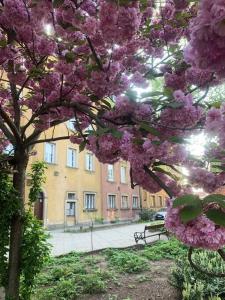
[16,230]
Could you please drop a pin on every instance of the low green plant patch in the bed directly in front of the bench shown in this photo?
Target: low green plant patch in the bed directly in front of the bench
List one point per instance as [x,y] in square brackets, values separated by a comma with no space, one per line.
[170,249]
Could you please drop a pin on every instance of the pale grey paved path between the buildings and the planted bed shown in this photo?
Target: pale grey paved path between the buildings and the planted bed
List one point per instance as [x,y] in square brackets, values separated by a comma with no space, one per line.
[116,237]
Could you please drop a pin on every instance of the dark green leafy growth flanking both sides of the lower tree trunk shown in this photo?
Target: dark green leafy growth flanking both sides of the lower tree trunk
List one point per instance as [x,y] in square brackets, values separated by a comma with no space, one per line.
[34,250]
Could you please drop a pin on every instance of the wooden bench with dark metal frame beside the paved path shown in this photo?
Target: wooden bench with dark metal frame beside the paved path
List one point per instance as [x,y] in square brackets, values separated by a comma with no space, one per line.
[147,233]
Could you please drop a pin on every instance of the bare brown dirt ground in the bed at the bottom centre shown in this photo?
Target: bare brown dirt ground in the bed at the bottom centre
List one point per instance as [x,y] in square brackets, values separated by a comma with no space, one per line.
[150,285]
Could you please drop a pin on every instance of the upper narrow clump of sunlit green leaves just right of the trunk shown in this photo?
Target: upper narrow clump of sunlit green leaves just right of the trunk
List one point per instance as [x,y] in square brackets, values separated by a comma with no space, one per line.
[37,179]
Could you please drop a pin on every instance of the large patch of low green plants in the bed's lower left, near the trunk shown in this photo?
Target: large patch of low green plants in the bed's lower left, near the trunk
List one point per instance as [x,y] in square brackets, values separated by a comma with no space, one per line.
[70,276]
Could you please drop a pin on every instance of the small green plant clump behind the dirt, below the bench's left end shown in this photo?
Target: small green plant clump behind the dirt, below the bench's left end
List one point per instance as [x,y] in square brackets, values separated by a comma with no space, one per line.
[126,261]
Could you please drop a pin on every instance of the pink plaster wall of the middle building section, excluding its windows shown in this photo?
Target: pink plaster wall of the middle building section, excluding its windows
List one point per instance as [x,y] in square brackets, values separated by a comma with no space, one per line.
[119,189]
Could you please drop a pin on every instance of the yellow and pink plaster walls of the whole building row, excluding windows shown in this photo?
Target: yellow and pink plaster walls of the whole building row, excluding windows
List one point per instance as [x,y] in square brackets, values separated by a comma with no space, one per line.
[61,180]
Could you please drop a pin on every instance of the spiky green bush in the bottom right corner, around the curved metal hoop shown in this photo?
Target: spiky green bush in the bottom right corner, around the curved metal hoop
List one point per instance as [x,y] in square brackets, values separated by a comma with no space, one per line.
[197,285]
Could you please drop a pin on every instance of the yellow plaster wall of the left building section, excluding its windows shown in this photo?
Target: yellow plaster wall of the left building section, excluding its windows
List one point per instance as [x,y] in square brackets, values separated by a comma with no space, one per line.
[61,179]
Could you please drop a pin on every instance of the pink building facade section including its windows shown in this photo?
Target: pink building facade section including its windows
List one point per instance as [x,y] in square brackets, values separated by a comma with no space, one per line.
[119,200]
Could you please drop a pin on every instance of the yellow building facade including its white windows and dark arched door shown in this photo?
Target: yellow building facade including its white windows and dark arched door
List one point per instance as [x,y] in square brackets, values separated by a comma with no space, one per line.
[72,191]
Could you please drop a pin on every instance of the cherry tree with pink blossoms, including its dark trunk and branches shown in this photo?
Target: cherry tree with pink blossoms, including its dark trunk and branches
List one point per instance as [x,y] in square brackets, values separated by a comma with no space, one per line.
[85,60]
